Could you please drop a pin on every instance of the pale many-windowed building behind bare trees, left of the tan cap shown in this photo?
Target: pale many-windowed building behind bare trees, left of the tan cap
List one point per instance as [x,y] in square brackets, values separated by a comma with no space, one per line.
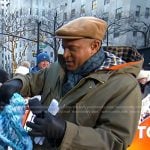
[25,30]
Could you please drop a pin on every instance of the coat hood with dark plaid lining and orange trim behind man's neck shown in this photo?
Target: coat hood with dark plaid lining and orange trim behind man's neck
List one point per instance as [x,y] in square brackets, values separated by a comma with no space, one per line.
[133,60]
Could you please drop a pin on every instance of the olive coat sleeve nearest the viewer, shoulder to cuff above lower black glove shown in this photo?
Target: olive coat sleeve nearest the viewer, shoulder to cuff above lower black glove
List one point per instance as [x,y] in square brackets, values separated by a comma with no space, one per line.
[116,124]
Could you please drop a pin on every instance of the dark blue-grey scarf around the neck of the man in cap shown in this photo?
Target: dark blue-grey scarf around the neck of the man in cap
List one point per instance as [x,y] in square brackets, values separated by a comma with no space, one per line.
[92,64]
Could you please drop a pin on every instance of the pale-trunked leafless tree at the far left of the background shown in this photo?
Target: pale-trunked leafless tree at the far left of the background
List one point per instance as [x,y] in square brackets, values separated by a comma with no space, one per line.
[12,30]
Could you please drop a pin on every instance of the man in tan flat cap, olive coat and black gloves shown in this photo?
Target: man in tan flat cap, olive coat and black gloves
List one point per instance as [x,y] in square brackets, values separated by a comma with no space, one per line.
[98,94]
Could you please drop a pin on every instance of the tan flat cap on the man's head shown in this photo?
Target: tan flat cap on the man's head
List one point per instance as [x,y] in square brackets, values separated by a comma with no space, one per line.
[83,27]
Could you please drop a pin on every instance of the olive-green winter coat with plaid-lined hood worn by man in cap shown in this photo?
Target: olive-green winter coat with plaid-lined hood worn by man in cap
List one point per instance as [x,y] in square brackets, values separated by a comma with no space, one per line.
[101,111]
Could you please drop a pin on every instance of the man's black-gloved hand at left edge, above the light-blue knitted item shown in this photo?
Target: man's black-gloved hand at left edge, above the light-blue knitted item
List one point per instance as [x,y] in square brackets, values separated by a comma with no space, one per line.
[8,89]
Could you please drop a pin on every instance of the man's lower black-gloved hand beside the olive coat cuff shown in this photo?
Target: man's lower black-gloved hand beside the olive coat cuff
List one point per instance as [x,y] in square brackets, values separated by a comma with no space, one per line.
[51,127]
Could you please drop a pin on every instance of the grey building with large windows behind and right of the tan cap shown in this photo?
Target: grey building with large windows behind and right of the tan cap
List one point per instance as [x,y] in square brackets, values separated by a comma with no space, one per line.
[125,18]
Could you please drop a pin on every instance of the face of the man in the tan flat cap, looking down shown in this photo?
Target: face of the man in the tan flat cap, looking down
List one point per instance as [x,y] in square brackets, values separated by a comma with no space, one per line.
[76,52]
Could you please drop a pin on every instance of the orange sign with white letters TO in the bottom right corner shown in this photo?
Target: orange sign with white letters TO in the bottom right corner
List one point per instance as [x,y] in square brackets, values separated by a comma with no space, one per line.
[142,138]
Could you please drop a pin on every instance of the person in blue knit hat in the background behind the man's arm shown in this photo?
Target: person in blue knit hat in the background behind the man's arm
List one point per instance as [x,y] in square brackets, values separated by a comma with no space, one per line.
[43,61]
